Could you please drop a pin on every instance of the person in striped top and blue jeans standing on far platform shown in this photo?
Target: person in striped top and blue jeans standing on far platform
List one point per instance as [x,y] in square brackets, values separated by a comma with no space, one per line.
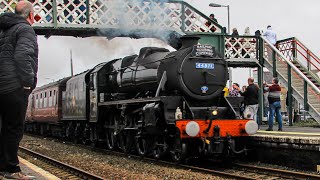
[274,104]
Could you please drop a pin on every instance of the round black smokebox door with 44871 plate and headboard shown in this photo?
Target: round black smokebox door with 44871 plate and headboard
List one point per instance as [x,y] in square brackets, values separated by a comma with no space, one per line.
[203,72]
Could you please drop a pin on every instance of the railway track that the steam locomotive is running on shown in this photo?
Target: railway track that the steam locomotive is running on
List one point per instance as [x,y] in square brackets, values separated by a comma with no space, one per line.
[236,171]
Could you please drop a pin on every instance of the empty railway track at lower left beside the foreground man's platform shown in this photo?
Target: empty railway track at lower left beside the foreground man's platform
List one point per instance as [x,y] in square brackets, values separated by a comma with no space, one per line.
[57,168]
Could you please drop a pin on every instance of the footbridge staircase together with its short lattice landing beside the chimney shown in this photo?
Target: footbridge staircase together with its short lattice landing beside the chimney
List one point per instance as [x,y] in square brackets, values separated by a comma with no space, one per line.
[296,67]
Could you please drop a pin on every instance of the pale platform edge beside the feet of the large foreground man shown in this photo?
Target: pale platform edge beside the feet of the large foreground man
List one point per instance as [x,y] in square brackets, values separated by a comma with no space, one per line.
[36,171]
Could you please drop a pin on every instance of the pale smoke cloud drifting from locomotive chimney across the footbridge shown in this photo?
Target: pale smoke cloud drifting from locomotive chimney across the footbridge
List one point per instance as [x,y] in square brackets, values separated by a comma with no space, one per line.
[138,19]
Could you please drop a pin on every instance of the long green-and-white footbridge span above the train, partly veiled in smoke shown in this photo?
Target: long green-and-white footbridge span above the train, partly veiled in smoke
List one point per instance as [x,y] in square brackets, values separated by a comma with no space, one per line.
[163,19]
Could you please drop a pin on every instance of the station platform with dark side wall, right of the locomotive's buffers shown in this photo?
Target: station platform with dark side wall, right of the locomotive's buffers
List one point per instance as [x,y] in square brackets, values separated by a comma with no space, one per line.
[296,147]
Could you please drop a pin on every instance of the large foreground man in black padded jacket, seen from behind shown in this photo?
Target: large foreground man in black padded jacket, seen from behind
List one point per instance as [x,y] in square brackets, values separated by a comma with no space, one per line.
[18,72]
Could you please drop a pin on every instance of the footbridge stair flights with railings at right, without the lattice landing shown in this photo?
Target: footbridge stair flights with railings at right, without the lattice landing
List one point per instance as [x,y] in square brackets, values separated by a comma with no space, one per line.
[296,67]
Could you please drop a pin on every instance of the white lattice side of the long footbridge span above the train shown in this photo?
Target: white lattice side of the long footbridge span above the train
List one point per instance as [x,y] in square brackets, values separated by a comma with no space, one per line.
[142,14]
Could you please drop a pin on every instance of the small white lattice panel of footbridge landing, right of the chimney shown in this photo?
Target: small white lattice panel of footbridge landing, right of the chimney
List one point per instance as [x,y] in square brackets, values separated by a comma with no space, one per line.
[240,47]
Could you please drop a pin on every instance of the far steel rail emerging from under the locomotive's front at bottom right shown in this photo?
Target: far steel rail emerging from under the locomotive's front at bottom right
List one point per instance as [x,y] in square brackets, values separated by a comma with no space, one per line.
[283,173]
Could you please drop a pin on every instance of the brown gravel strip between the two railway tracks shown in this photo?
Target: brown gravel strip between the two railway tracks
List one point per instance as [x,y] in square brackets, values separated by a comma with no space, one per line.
[108,166]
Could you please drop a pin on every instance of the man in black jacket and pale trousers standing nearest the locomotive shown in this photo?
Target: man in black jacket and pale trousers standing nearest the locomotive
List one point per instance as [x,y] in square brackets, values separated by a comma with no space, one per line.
[251,102]
